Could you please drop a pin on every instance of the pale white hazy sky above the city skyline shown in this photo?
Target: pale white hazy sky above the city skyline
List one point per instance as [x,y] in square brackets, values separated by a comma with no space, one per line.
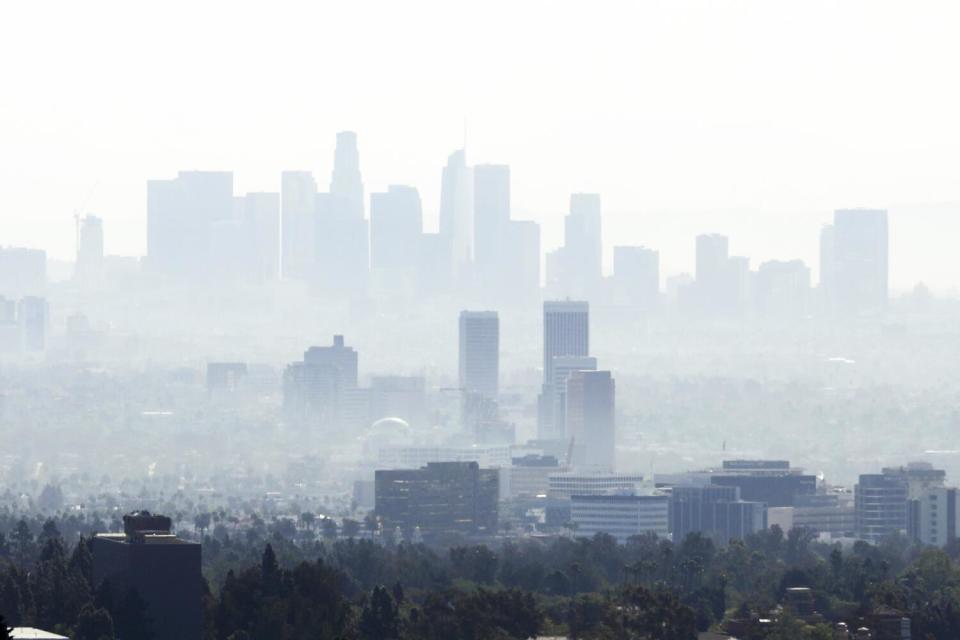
[750,118]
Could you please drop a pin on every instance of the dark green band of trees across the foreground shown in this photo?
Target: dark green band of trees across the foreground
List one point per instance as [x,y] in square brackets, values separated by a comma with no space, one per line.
[285,588]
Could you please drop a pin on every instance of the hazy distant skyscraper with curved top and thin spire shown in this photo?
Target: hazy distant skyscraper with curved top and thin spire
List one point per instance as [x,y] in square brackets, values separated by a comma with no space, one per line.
[456,213]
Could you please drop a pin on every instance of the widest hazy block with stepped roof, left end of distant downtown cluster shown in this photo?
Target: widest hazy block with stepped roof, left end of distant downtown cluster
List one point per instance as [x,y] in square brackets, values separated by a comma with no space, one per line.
[181,221]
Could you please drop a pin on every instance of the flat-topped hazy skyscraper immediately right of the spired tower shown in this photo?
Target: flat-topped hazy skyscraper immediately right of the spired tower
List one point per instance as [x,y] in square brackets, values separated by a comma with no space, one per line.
[491,215]
